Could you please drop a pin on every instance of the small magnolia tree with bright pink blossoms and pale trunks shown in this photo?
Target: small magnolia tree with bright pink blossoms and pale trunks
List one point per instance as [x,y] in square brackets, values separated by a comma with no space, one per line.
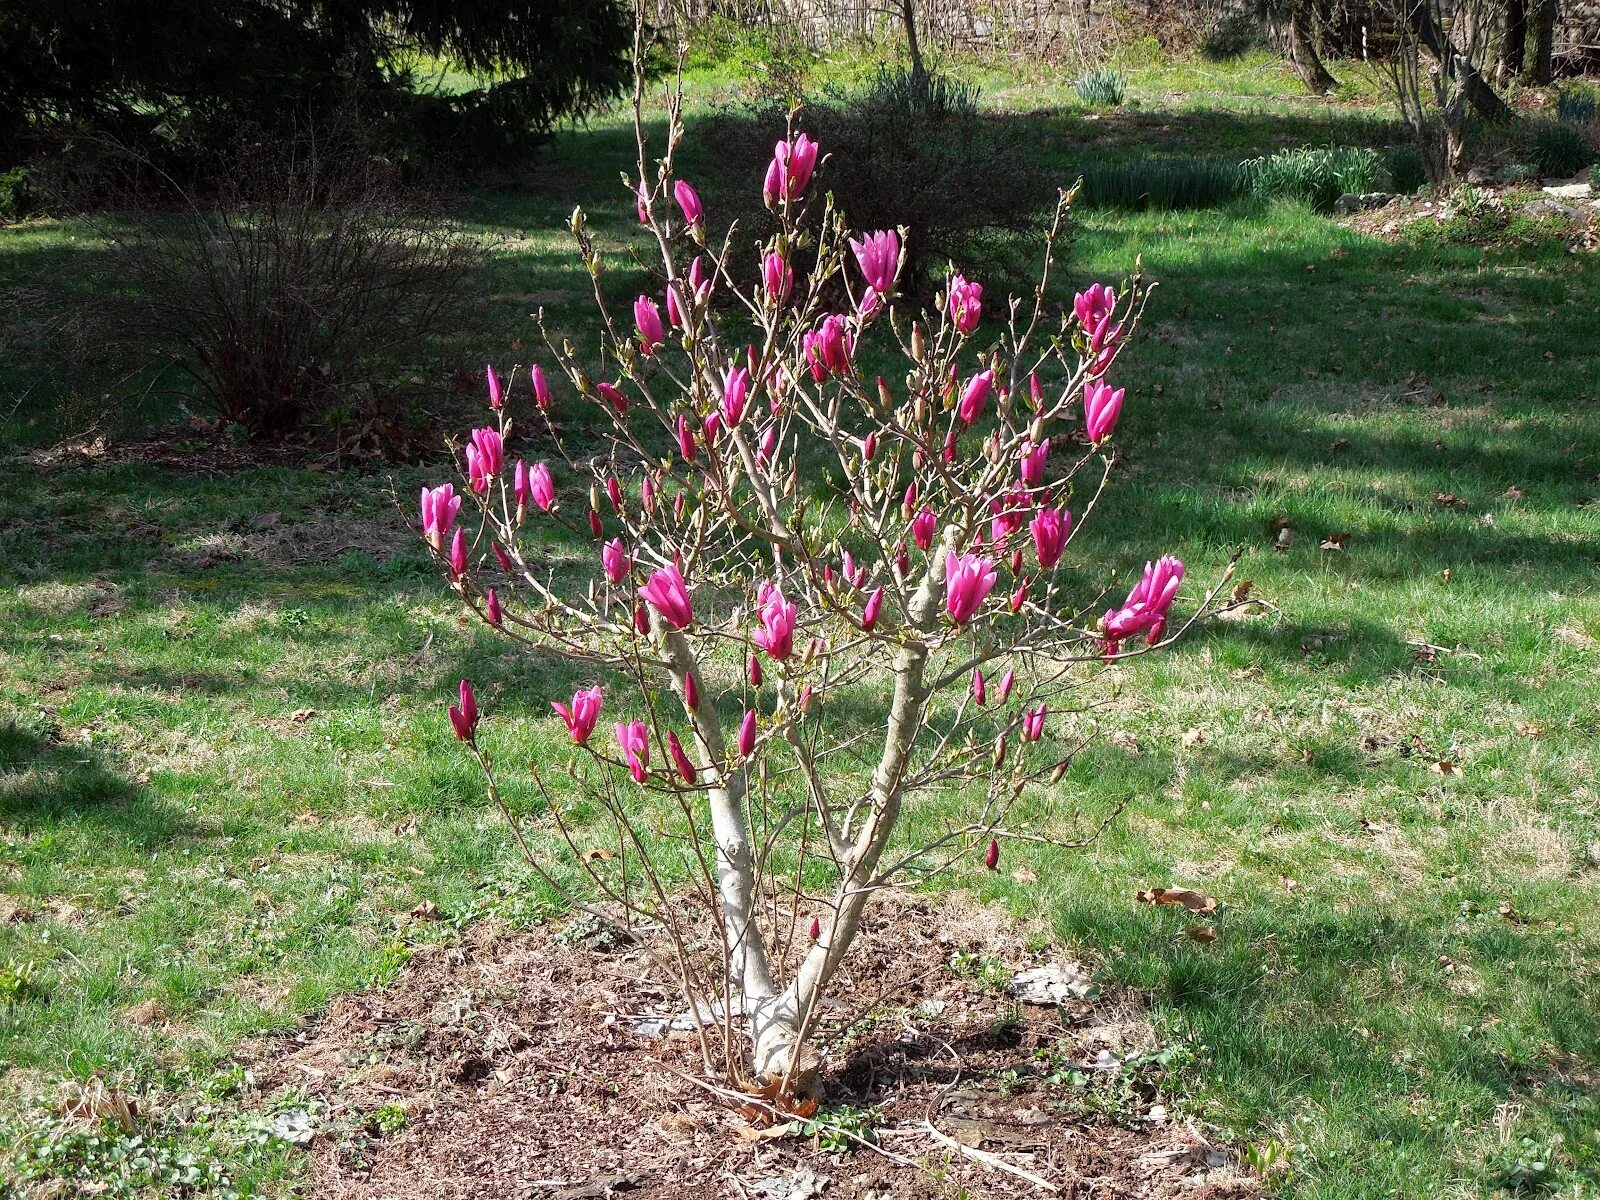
[815,599]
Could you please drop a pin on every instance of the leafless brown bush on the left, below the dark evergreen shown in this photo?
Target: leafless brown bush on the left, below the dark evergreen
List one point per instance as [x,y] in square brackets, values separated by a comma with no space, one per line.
[297,286]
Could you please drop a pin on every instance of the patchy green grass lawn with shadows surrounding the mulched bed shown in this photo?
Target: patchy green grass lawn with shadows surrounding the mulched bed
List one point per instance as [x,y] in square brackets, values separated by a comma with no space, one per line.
[226,777]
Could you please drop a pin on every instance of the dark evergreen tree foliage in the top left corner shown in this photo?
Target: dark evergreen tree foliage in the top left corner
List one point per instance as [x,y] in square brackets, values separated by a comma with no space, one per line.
[161,74]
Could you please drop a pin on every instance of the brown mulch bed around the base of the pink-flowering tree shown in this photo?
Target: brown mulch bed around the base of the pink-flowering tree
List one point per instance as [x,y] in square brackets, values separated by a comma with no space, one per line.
[513,1065]
